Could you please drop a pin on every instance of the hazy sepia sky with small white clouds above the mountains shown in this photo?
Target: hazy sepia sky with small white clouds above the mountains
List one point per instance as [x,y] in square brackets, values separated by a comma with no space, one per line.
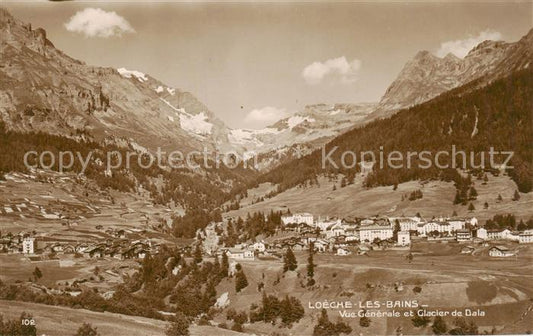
[253,63]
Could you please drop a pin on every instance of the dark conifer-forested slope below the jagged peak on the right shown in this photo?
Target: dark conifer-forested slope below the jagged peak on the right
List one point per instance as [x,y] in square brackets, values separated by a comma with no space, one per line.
[498,115]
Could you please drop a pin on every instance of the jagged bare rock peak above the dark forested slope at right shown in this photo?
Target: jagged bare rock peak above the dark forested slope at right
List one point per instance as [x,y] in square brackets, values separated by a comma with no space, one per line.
[426,75]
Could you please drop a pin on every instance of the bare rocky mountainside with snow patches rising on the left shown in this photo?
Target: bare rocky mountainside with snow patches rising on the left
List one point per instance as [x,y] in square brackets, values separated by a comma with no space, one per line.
[43,89]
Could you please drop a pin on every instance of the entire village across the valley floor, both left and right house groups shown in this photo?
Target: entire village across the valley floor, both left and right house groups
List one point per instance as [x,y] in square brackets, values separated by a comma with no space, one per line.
[335,236]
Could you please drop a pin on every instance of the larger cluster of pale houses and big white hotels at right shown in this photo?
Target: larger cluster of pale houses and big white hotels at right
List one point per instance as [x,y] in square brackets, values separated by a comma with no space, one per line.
[344,237]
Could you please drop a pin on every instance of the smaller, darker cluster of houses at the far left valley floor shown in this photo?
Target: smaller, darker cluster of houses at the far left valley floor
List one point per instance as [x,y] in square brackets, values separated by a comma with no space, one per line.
[118,247]
